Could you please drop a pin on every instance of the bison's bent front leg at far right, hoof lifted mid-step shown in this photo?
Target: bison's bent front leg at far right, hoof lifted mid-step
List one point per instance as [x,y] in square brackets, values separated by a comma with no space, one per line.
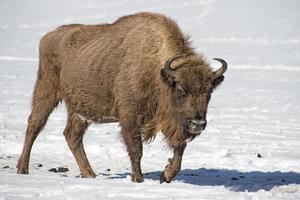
[174,165]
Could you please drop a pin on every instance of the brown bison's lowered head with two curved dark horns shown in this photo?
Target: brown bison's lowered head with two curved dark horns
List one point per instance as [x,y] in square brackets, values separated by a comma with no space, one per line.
[191,82]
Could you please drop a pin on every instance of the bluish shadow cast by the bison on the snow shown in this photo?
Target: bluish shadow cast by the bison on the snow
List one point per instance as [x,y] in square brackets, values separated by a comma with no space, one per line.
[231,179]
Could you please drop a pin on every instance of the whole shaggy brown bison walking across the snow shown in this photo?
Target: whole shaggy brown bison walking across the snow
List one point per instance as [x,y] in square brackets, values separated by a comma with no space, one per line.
[140,71]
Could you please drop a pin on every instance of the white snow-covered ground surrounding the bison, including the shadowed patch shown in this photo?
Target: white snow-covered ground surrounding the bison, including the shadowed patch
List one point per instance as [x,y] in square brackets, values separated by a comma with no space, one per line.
[255,112]
